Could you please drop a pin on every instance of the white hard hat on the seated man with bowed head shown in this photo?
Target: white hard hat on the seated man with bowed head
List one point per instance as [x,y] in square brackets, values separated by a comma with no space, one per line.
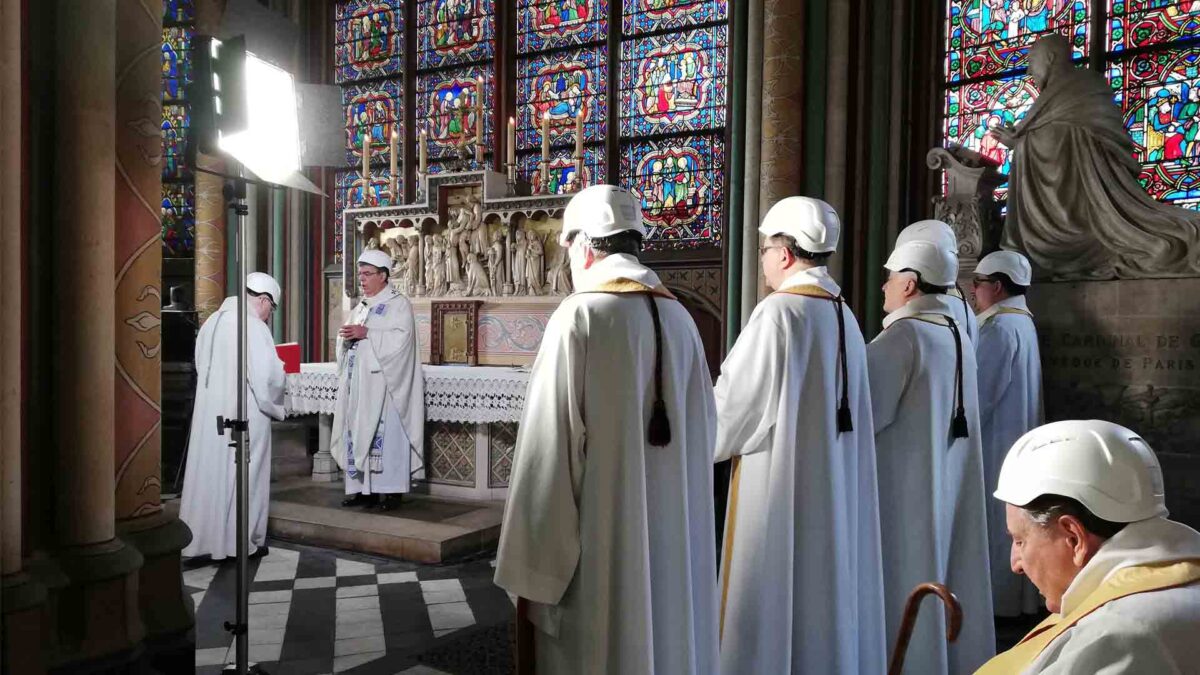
[1105,467]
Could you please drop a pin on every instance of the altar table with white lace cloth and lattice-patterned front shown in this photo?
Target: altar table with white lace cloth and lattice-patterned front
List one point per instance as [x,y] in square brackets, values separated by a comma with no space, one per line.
[471,425]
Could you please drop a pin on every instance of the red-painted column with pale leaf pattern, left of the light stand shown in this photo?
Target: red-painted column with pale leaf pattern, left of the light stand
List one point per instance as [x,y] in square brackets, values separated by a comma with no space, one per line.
[141,521]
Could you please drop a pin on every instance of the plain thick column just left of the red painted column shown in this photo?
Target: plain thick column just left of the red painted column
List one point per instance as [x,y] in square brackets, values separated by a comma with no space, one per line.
[98,613]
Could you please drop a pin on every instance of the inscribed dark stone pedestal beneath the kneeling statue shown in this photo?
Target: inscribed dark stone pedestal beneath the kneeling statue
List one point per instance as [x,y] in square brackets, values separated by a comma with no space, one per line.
[1130,353]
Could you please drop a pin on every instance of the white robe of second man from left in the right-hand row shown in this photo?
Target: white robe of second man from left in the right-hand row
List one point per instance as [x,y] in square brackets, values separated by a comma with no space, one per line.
[802,582]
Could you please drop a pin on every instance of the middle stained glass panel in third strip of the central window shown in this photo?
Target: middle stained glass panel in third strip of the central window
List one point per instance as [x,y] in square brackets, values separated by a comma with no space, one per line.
[560,86]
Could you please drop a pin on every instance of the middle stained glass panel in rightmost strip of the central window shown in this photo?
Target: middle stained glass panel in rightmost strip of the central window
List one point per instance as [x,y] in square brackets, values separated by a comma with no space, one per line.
[674,82]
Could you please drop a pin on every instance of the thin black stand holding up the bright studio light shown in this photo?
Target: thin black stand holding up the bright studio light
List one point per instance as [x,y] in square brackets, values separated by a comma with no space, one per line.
[241,432]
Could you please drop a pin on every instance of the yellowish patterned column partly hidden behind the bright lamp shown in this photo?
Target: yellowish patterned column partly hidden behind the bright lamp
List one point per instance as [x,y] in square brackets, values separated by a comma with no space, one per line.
[211,206]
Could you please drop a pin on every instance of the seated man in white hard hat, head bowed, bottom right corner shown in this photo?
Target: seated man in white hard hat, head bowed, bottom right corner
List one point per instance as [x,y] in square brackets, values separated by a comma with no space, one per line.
[1088,515]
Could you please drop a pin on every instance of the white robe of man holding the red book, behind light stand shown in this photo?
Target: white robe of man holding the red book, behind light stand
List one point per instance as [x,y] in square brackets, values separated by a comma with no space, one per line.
[209,505]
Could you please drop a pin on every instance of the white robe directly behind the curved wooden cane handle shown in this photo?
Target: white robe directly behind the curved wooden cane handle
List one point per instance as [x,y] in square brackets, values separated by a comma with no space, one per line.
[932,497]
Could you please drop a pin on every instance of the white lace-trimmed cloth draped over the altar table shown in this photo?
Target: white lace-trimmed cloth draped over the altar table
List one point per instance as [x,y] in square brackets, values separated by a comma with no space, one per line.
[453,393]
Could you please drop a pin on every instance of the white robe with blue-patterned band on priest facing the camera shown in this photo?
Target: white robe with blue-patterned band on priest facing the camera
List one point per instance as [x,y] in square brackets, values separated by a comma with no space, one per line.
[379,431]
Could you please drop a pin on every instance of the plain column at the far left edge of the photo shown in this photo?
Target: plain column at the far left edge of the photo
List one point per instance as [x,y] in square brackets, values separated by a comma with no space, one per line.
[22,600]
